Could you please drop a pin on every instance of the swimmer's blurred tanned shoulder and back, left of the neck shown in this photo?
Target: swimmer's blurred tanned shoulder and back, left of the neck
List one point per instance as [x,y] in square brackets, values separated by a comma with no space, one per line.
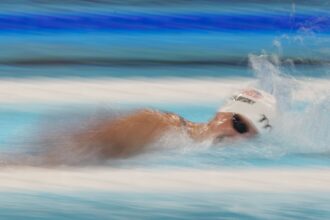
[128,135]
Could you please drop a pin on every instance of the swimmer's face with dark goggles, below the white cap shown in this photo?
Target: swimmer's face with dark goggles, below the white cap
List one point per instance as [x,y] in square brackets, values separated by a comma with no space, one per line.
[230,125]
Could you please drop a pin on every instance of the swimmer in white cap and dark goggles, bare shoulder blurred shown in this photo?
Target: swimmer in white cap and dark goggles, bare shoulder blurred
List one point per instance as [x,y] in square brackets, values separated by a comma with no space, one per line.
[246,114]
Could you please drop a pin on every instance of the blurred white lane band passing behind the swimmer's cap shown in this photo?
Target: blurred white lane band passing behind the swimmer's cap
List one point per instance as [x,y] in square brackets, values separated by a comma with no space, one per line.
[13,91]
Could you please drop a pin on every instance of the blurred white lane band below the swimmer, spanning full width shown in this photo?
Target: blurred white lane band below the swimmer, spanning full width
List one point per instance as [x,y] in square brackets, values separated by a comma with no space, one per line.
[133,180]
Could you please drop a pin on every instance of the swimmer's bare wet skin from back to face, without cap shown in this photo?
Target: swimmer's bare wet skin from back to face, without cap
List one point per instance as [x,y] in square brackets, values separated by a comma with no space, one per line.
[131,134]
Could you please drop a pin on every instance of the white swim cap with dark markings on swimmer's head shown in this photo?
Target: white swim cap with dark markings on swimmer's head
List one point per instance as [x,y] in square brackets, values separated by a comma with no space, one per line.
[257,106]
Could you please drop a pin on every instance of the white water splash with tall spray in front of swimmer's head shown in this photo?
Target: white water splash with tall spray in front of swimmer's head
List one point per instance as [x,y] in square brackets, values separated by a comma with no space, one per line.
[303,131]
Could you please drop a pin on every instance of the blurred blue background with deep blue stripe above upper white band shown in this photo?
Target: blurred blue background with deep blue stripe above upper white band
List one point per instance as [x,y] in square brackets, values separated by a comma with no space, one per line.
[140,38]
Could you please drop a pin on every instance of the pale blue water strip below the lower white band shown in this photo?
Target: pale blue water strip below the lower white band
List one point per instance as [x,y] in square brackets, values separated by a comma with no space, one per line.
[100,205]
